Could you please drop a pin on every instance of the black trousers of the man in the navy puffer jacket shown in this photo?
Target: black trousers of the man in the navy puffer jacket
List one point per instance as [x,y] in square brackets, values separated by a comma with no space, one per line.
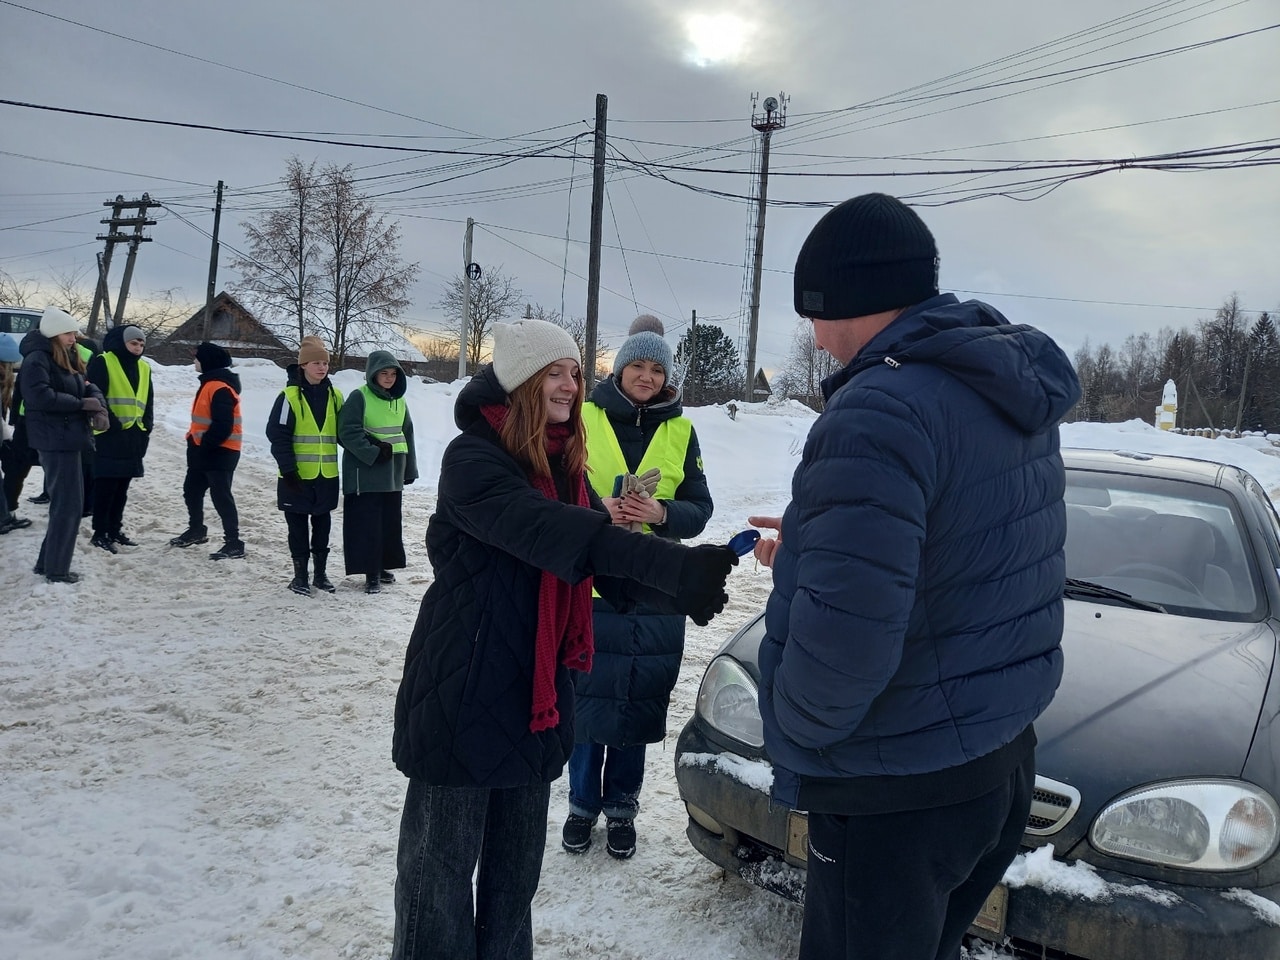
[906,886]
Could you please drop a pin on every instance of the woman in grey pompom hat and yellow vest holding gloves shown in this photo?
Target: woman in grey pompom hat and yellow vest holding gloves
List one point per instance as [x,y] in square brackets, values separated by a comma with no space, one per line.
[634,423]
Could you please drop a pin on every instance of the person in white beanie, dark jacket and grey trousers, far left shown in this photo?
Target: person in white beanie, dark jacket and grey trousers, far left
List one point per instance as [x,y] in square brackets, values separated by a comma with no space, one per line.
[63,409]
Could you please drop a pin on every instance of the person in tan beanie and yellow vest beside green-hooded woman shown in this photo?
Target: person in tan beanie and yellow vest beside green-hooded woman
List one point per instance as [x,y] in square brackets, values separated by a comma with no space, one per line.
[304,435]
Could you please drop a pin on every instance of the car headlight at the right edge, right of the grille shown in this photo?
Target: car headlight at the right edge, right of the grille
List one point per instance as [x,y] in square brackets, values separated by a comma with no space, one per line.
[1196,825]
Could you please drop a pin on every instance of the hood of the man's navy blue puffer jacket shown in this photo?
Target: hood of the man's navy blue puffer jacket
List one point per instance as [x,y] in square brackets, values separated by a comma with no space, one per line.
[1016,368]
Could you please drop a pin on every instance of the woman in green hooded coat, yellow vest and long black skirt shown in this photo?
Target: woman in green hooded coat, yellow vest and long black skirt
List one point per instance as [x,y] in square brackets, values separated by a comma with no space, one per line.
[378,461]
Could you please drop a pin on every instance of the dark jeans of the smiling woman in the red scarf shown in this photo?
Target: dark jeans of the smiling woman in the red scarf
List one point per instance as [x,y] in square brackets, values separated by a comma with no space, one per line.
[445,834]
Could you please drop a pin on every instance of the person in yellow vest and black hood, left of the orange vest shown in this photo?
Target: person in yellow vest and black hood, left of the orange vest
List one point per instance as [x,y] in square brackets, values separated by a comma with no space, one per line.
[125,380]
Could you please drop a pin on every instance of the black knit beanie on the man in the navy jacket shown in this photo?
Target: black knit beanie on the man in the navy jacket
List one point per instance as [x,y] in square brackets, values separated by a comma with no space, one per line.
[868,255]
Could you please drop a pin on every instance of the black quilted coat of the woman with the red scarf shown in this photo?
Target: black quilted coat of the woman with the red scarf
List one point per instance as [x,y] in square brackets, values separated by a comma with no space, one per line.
[464,705]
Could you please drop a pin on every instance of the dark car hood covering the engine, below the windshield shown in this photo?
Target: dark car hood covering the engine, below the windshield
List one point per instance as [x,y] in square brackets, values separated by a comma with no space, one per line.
[1150,697]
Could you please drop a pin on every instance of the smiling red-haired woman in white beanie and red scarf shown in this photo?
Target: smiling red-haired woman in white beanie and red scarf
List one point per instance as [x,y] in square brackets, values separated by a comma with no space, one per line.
[484,716]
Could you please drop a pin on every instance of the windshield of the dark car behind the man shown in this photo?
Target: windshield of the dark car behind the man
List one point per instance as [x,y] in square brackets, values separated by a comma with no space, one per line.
[1180,545]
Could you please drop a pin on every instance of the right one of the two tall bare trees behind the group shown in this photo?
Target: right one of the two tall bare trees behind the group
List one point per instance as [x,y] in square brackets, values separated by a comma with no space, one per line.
[365,284]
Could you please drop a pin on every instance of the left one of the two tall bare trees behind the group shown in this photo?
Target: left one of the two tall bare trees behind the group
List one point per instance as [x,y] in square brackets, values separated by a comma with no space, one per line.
[284,250]
